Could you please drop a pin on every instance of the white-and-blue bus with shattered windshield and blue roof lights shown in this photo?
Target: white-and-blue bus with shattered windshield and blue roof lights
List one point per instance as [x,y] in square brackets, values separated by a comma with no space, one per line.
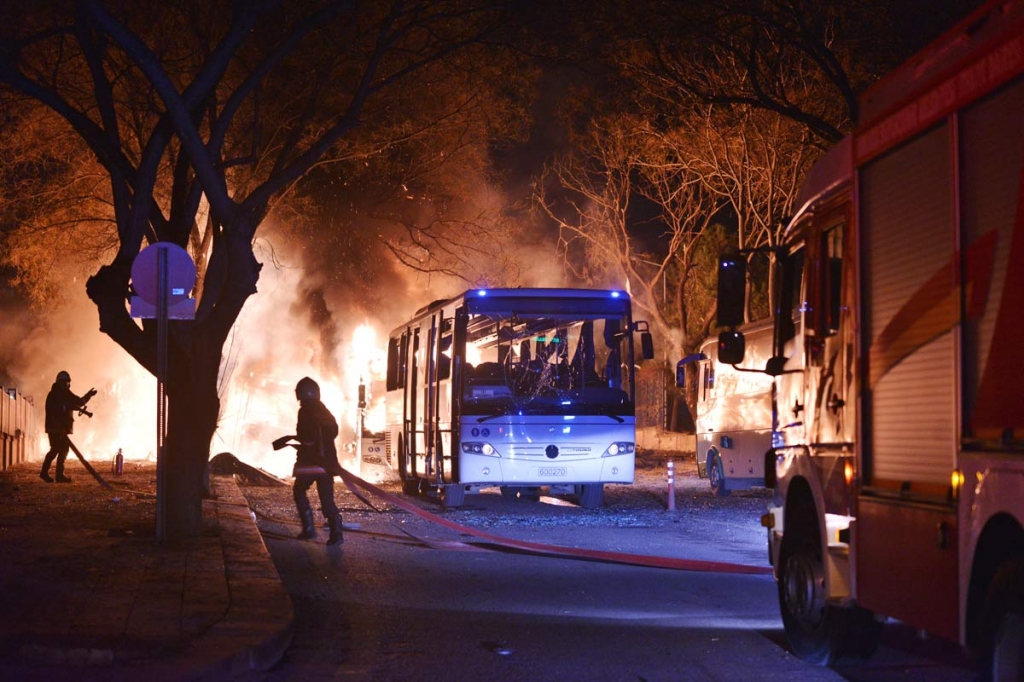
[518,390]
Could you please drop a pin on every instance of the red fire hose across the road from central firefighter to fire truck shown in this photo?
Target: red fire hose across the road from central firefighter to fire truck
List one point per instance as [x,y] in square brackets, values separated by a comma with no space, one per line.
[357,486]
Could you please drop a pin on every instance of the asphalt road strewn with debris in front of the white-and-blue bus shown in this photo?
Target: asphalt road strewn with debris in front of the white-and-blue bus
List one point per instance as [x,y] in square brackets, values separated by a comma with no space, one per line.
[404,600]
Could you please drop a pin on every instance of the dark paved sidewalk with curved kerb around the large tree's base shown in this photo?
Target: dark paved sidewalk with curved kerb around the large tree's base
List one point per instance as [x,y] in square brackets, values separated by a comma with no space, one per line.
[88,594]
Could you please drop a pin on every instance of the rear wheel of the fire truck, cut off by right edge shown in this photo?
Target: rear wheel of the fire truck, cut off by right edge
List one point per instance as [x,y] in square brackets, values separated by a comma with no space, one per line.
[1005,624]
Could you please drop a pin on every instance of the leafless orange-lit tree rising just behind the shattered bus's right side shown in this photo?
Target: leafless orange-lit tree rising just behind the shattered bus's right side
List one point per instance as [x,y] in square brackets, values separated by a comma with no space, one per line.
[606,239]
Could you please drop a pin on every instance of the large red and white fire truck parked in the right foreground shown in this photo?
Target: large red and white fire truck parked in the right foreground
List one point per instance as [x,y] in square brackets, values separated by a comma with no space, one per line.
[898,467]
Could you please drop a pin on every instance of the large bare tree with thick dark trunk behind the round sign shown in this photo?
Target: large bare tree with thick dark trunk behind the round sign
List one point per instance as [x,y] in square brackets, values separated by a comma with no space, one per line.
[225,106]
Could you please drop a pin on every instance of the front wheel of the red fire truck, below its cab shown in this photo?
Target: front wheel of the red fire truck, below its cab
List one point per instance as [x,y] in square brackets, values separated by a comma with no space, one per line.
[820,633]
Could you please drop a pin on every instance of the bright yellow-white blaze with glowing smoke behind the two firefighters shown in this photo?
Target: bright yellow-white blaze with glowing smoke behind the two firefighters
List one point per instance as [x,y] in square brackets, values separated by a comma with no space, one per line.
[271,349]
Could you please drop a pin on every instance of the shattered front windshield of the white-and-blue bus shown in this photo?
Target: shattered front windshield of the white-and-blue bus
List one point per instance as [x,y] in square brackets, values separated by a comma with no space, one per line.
[548,364]
